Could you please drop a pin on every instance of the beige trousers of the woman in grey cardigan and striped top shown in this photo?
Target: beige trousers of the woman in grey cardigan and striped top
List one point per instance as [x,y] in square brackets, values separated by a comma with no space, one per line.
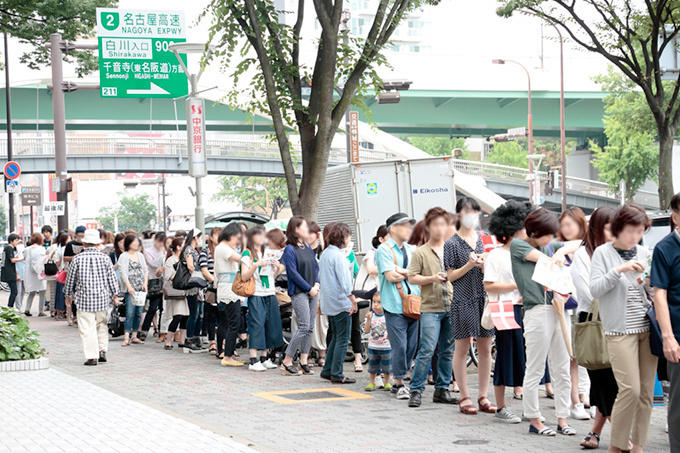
[634,367]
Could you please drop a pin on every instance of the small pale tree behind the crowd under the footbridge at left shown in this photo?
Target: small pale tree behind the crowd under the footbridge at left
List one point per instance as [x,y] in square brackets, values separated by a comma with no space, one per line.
[135,212]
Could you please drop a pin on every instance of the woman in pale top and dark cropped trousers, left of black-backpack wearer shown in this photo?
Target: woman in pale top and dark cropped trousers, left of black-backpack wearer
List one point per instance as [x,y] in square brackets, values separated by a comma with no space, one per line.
[176,306]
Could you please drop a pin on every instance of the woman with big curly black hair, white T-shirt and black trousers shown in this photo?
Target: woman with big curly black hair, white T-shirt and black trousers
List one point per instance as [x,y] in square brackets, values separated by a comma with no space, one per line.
[506,224]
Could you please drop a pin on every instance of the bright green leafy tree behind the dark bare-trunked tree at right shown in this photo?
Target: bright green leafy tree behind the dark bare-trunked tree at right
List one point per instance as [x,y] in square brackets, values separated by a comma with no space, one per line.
[631,154]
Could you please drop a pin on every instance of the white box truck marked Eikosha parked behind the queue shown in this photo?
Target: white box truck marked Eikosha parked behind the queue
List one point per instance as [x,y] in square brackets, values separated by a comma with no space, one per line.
[364,195]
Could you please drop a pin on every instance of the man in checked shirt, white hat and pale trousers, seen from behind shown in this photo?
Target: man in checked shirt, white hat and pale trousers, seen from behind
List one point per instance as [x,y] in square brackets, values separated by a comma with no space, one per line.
[91,282]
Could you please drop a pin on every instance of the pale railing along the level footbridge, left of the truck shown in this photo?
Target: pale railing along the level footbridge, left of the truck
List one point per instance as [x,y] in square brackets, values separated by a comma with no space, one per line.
[257,149]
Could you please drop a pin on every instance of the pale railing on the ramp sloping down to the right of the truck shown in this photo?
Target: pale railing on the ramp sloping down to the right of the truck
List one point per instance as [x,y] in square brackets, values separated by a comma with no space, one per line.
[574,184]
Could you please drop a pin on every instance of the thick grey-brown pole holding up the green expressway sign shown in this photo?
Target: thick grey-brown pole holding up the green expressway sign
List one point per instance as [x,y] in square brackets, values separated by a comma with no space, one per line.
[59,115]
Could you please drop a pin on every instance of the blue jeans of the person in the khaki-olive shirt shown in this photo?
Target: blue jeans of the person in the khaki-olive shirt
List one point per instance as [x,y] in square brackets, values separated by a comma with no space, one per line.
[435,329]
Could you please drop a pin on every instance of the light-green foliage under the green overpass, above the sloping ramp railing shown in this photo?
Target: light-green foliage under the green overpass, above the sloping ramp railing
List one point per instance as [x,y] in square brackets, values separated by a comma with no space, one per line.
[514,153]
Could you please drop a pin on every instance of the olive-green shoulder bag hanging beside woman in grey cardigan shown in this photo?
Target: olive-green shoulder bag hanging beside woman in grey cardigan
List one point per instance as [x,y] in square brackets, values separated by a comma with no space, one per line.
[590,345]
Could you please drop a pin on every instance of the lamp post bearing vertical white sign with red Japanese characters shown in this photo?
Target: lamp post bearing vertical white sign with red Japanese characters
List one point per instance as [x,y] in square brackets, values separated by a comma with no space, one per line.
[197,159]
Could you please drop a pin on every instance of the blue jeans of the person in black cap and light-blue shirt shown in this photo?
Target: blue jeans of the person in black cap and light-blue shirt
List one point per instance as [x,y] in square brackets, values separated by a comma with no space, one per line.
[403,334]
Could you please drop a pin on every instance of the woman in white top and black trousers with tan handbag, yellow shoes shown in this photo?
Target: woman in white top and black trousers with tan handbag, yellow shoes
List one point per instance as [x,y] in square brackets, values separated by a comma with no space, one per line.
[228,302]
